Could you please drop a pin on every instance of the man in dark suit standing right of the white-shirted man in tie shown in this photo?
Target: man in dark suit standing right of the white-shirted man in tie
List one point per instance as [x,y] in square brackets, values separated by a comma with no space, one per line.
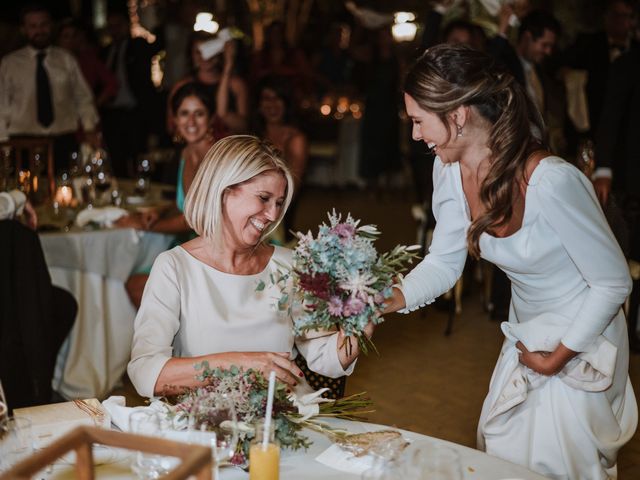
[126,119]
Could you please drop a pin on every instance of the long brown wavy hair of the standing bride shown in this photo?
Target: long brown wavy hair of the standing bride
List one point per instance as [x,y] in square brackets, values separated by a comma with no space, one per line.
[446,77]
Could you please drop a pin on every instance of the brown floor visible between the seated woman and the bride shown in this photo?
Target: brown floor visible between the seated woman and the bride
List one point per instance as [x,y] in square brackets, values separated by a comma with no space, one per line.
[422,380]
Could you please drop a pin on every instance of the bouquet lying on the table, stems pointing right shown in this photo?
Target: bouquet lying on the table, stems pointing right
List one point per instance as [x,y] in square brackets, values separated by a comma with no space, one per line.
[247,391]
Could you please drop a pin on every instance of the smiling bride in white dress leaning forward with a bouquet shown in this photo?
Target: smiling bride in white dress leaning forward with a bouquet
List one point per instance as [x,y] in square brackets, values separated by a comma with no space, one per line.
[560,401]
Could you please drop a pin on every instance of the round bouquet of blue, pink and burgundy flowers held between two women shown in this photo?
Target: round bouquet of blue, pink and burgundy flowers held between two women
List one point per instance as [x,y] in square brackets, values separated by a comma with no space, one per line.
[338,279]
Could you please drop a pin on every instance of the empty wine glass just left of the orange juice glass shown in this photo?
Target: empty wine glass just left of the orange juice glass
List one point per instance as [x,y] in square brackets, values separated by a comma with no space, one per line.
[213,422]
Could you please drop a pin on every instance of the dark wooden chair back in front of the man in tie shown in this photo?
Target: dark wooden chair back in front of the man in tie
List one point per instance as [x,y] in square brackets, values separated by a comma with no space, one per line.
[31,146]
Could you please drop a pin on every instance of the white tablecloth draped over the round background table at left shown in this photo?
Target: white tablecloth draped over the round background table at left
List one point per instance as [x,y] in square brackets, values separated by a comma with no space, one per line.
[93,266]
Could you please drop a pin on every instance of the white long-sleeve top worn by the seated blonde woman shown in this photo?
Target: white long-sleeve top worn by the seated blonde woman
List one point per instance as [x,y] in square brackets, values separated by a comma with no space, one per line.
[189,309]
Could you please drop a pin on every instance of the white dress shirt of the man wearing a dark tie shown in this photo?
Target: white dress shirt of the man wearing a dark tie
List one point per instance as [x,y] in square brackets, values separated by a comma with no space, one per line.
[71,96]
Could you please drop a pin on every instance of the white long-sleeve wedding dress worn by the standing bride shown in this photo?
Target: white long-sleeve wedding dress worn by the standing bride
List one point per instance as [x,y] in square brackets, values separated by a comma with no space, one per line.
[569,279]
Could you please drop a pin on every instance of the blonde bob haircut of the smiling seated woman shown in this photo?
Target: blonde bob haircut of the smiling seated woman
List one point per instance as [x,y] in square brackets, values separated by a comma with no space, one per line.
[230,162]
